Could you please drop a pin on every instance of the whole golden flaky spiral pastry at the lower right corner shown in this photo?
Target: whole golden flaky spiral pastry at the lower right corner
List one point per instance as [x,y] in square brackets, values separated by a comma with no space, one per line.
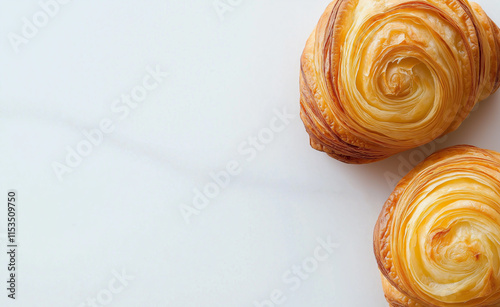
[437,240]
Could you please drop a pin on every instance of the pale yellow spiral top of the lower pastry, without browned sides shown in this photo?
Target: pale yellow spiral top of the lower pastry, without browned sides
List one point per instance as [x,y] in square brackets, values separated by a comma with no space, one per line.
[452,251]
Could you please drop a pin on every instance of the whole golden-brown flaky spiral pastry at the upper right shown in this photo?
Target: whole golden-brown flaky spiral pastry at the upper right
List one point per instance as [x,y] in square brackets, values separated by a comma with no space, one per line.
[382,76]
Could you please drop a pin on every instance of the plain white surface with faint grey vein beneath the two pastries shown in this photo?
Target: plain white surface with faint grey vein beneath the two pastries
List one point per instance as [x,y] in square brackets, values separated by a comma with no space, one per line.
[119,208]
